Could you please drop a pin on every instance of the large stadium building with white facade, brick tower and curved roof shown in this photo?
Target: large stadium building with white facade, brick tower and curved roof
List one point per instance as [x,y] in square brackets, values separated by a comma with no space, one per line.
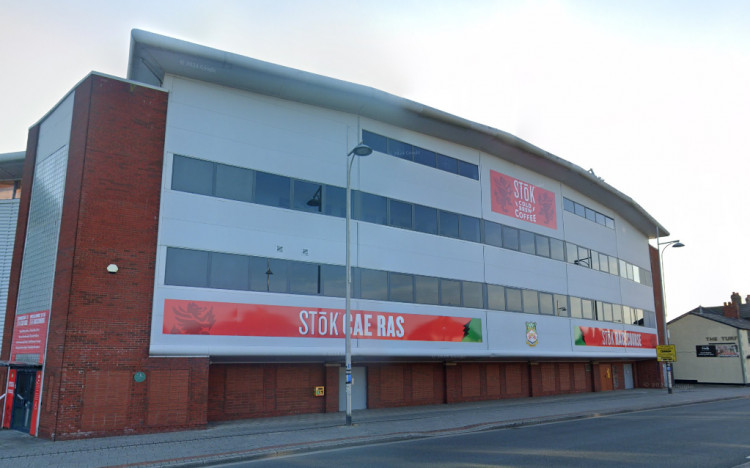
[180,255]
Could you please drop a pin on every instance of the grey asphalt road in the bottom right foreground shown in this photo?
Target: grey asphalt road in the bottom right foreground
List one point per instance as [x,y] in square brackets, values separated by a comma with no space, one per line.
[702,435]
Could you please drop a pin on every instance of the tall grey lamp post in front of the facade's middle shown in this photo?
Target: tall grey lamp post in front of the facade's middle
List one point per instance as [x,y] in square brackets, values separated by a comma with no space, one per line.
[359,150]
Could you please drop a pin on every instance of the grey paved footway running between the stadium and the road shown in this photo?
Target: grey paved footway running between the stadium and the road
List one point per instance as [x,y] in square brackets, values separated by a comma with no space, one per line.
[259,438]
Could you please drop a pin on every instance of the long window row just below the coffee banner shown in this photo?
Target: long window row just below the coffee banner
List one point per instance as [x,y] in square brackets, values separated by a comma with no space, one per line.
[235,183]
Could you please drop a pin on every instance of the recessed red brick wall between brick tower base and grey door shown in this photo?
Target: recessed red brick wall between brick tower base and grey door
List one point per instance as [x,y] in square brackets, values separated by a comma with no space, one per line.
[243,391]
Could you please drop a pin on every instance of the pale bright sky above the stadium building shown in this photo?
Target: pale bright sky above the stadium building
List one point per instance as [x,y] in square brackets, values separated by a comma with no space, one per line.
[654,96]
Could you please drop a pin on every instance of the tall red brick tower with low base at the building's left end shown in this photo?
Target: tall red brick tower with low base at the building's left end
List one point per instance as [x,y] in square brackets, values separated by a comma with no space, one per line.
[100,323]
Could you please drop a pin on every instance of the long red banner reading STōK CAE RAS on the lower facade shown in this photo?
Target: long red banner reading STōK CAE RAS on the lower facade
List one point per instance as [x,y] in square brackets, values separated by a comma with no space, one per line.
[226,319]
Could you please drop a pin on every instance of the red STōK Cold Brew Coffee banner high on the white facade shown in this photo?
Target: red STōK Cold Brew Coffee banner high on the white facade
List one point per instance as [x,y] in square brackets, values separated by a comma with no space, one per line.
[522,200]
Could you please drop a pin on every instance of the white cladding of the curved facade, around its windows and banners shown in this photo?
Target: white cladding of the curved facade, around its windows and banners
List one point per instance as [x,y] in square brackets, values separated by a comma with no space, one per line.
[242,129]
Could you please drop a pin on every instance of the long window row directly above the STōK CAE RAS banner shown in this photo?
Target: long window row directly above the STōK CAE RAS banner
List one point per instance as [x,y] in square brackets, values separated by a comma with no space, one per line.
[217,270]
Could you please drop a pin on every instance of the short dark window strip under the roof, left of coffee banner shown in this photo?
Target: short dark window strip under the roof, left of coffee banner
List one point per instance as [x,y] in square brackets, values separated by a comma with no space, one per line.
[419,155]
